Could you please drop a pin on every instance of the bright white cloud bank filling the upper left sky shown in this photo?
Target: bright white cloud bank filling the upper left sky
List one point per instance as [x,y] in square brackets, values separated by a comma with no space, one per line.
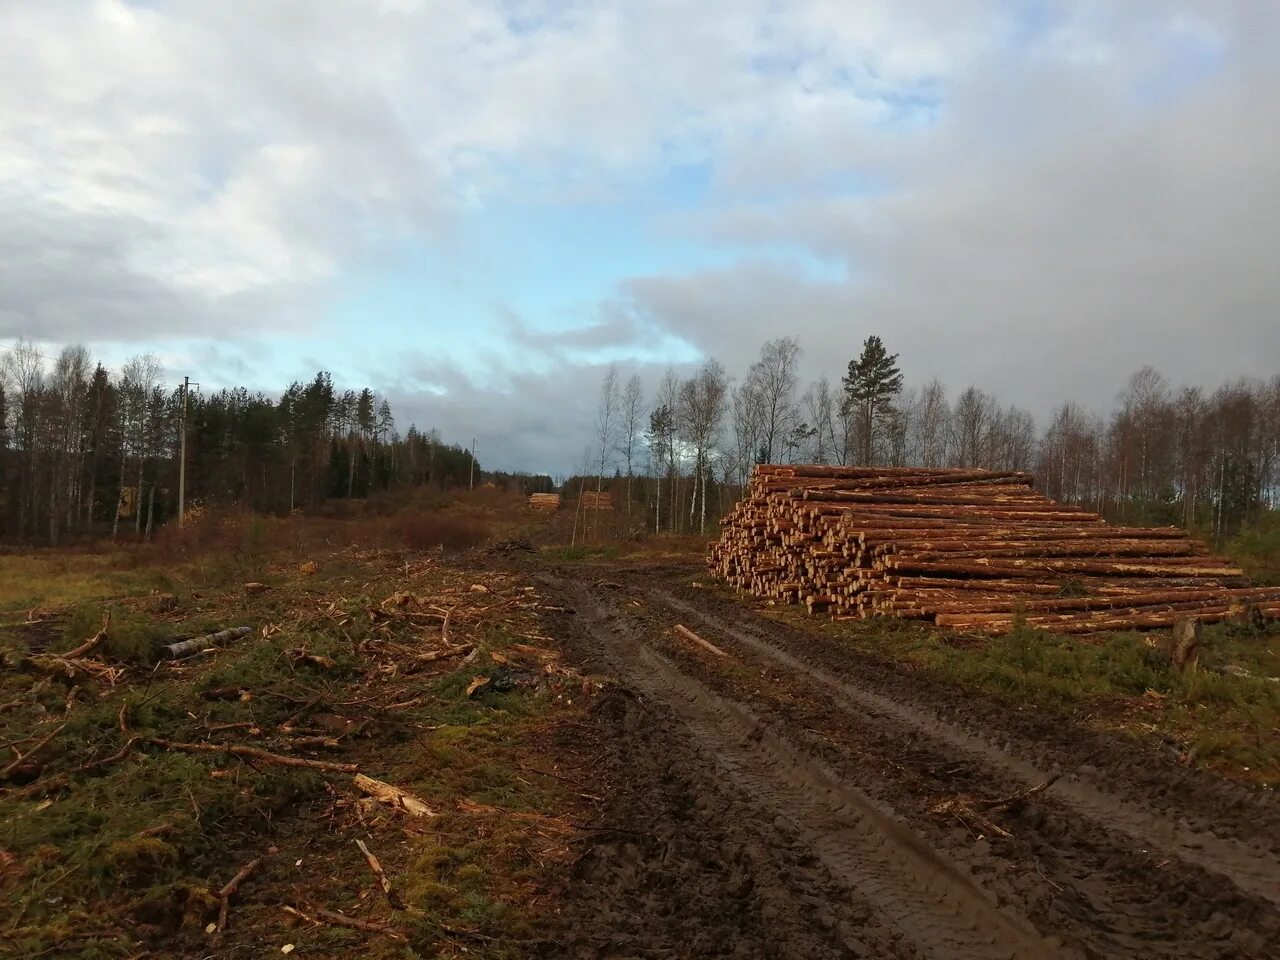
[245,150]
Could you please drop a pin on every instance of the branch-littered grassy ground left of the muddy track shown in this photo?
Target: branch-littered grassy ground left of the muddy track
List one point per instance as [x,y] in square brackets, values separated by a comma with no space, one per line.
[130,857]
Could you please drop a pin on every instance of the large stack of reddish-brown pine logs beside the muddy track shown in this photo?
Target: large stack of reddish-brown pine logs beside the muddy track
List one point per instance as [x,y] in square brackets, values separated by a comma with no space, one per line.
[972,550]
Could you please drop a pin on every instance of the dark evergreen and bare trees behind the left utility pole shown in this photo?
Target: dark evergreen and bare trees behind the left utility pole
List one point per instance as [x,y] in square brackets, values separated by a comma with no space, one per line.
[88,451]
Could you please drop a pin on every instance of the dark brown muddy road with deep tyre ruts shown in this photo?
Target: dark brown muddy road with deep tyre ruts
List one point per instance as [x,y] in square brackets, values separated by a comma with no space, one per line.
[790,799]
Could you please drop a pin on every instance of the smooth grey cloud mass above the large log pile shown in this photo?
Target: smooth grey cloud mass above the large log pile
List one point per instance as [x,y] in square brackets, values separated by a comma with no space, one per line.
[1055,232]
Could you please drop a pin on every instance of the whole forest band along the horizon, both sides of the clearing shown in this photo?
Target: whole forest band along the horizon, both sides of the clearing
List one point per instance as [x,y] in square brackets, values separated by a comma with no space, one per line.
[90,452]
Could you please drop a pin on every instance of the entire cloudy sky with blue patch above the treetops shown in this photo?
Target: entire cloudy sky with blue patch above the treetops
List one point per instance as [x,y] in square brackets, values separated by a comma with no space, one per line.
[476,208]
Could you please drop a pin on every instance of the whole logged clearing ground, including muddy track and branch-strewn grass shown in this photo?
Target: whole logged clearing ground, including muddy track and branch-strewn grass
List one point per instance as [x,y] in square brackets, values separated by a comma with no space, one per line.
[614,757]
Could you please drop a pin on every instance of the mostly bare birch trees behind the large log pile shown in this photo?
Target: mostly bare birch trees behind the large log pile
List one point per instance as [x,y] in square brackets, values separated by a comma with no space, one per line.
[1208,460]
